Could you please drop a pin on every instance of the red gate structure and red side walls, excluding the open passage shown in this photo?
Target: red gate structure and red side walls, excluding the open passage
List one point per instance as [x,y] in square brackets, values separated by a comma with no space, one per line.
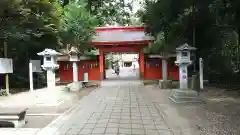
[118,39]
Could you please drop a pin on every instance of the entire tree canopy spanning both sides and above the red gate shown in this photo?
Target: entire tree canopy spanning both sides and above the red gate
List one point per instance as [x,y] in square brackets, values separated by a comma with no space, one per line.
[213,27]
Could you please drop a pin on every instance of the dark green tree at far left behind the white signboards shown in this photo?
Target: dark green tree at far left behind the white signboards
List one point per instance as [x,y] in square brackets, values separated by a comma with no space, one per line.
[27,27]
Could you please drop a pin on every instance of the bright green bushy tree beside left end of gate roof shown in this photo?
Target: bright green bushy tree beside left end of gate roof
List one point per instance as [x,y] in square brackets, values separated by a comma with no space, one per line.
[77,25]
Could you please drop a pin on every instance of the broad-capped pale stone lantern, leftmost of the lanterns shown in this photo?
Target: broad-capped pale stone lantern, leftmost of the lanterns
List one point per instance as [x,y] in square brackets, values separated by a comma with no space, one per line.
[50,65]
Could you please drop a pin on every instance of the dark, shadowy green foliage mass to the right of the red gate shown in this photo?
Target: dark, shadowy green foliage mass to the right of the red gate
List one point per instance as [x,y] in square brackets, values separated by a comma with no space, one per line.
[212,26]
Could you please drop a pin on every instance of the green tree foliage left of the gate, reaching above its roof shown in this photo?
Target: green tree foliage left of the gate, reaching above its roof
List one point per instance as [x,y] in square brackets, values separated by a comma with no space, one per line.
[29,26]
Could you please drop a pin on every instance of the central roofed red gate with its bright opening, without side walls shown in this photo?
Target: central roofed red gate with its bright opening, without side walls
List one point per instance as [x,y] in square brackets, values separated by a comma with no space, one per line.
[124,41]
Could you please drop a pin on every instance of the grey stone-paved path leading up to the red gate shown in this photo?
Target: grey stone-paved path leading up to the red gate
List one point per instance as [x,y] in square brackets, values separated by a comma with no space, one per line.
[114,109]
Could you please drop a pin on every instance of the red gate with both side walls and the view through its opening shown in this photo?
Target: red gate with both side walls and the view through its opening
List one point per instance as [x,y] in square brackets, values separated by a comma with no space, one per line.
[120,42]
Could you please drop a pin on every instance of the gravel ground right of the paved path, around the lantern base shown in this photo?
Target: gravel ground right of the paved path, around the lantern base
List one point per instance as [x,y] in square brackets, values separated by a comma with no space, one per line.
[219,115]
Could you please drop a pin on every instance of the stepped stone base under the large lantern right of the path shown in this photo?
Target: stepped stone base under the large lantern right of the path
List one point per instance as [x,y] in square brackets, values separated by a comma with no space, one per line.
[185,96]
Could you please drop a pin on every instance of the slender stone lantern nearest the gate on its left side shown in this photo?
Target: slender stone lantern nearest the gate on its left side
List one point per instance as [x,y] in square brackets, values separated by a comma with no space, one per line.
[73,54]
